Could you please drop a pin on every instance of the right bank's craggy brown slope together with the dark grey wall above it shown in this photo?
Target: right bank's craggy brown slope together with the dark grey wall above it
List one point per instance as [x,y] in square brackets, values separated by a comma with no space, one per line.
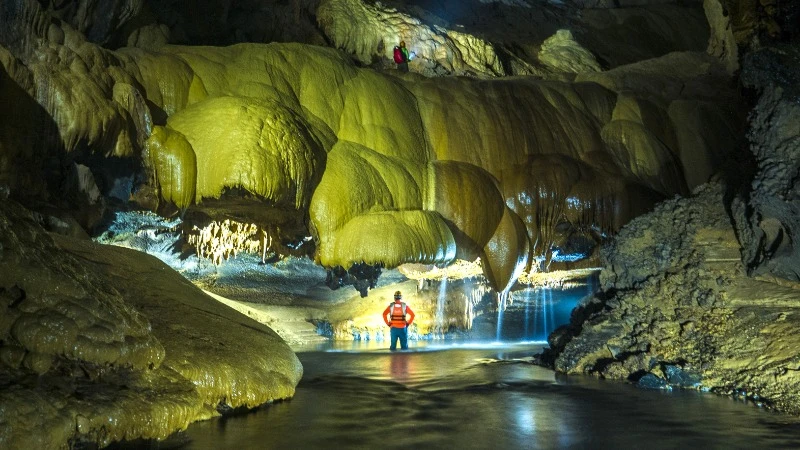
[702,292]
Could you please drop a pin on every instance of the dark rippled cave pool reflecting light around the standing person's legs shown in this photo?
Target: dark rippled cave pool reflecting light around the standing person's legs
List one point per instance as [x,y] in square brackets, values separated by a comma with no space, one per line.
[481,397]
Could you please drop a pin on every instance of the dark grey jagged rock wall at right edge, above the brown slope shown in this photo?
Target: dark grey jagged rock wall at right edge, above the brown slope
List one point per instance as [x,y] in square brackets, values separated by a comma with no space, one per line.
[768,221]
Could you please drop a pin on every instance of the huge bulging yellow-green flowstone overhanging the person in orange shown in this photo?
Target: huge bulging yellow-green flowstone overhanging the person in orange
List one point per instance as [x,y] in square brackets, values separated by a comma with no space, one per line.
[391,171]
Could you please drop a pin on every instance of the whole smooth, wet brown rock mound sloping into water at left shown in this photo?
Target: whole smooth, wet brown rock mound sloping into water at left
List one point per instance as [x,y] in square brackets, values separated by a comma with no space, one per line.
[100,344]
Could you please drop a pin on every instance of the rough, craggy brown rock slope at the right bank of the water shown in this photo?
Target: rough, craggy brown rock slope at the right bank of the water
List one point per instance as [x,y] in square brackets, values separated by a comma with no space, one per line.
[675,296]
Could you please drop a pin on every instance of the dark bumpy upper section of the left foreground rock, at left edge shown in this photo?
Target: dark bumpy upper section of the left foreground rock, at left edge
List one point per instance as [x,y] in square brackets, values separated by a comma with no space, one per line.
[72,315]
